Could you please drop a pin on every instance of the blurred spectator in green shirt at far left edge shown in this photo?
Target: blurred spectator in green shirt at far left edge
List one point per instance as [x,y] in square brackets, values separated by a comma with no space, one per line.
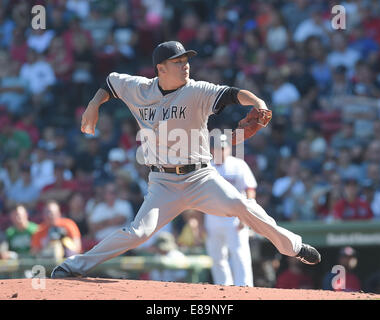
[19,235]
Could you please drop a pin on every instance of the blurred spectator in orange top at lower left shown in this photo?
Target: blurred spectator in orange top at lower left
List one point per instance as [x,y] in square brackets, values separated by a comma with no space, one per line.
[57,237]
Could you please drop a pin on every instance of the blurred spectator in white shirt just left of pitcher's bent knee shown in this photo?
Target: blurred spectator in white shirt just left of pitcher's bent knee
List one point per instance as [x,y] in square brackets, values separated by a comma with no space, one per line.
[109,215]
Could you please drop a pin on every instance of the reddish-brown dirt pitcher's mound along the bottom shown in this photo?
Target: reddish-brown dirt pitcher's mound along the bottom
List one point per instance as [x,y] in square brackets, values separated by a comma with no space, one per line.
[114,289]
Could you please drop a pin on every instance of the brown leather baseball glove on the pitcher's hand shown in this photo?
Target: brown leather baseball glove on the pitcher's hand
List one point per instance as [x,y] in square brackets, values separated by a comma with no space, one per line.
[253,122]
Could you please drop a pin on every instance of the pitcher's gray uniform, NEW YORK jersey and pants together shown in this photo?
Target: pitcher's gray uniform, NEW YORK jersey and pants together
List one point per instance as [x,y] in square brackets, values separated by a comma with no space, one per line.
[184,110]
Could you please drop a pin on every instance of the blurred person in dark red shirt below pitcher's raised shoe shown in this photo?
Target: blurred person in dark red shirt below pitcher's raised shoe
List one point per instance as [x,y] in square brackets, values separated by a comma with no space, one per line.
[294,277]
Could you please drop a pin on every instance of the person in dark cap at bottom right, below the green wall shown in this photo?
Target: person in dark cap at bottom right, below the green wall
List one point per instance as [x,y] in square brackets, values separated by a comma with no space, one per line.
[349,280]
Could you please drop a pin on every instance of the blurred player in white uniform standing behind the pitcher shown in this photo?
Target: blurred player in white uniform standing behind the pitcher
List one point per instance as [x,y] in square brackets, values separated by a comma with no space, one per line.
[227,241]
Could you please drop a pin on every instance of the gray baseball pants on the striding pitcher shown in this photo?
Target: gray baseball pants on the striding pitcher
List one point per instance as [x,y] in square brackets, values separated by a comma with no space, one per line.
[169,195]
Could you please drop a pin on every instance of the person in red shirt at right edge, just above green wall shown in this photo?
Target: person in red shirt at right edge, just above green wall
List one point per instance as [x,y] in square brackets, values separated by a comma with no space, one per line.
[352,207]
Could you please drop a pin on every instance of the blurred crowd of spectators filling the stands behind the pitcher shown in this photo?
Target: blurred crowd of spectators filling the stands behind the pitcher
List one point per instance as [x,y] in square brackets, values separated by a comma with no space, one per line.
[319,159]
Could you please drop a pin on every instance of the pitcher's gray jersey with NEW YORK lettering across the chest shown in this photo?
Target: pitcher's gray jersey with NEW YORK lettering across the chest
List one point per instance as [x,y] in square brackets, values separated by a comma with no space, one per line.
[194,102]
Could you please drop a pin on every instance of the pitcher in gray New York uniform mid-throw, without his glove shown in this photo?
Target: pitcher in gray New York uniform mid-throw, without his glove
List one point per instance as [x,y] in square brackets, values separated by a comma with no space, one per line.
[181,176]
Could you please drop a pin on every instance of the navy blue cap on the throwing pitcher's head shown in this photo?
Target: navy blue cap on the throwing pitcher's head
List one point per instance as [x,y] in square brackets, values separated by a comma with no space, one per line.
[170,50]
